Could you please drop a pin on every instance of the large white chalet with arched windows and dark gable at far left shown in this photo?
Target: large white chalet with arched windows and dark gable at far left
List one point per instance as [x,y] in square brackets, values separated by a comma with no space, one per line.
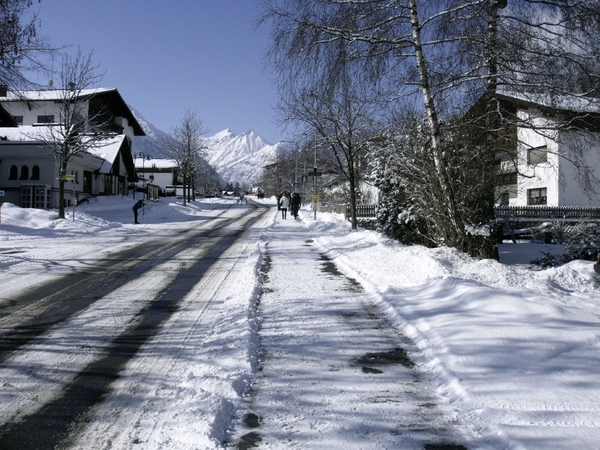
[29,170]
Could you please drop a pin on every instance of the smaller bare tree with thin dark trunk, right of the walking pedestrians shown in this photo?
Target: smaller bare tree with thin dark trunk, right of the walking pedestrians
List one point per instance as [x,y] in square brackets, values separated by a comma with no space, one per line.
[328,96]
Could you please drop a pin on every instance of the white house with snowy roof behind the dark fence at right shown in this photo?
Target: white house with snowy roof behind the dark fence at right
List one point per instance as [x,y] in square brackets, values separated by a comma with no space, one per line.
[545,168]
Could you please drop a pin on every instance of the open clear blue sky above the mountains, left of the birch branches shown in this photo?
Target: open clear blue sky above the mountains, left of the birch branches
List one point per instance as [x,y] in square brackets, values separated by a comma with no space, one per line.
[166,56]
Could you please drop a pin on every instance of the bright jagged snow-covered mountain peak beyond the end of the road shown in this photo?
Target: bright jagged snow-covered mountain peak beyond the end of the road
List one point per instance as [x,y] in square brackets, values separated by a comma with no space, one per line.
[239,158]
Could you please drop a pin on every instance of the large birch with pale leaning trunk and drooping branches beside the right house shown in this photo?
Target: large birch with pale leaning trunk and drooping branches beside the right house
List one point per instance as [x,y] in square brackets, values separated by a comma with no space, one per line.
[451,53]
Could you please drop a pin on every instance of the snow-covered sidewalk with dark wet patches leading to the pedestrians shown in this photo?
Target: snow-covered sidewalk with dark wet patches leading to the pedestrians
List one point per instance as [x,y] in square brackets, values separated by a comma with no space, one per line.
[334,373]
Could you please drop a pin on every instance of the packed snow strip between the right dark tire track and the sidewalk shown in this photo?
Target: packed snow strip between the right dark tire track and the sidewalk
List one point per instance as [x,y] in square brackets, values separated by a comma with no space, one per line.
[143,418]
